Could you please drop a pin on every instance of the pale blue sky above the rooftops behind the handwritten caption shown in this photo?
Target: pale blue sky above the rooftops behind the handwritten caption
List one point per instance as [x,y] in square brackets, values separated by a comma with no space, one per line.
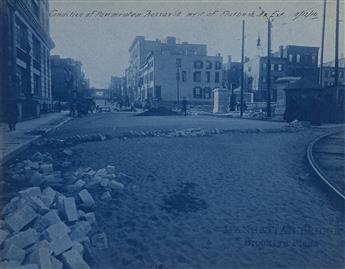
[101,43]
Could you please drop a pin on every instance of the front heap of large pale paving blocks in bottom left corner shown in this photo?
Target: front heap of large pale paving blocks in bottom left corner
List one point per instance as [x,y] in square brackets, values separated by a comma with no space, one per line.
[45,229]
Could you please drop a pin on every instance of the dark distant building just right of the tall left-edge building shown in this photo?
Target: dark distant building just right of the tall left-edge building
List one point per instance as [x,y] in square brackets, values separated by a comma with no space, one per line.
[68,79]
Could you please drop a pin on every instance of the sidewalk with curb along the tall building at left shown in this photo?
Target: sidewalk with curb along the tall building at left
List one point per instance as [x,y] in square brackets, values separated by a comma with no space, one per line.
[12,143]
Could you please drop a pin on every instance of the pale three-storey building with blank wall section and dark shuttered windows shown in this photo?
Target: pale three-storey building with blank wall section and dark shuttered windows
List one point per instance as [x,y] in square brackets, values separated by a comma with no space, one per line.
[171,77]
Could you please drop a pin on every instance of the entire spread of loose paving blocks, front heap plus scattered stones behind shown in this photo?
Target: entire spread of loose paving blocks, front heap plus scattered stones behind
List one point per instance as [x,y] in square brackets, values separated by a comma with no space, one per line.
[54,227]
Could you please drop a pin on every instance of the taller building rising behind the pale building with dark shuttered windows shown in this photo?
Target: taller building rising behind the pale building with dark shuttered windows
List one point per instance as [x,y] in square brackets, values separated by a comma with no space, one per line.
[141,48]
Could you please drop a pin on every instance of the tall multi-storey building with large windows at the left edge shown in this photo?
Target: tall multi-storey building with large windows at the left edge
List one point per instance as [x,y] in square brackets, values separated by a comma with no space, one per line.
[24,59]
